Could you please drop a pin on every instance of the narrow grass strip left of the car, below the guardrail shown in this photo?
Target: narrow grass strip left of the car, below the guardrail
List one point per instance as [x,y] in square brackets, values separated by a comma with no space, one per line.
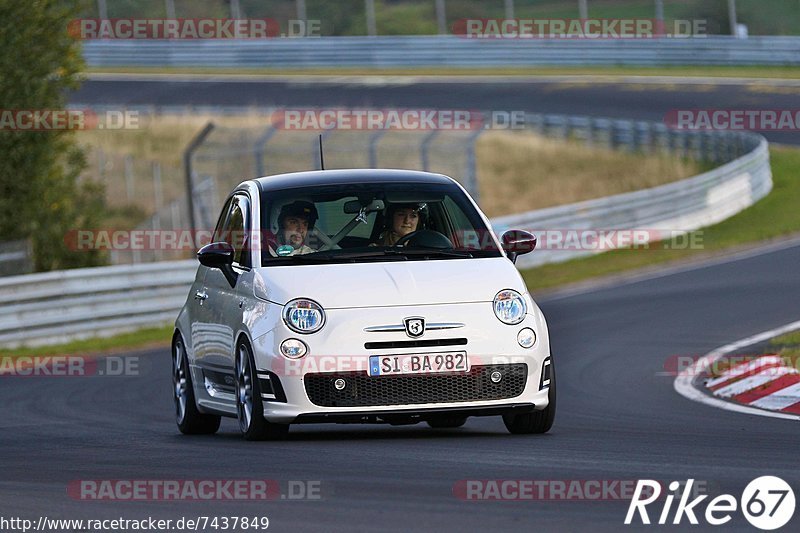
[143,338]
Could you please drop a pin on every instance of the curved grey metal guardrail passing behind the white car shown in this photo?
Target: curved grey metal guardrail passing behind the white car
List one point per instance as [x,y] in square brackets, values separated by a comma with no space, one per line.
[57,306]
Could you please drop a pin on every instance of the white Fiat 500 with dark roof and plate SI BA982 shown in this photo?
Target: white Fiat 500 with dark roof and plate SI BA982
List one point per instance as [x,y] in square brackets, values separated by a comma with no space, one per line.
[359,296]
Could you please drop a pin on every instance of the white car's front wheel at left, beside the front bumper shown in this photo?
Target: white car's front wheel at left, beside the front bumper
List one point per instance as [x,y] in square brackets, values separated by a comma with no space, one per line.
[249,407]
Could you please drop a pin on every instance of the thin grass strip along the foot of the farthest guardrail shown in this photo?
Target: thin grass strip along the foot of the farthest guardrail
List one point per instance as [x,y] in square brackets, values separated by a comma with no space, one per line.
[676,71]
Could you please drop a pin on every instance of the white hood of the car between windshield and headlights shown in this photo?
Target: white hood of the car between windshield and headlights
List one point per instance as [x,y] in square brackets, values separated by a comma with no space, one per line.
[396,283]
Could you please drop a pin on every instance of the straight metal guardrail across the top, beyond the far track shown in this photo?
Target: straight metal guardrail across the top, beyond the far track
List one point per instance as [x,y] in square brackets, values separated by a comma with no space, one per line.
[433,51]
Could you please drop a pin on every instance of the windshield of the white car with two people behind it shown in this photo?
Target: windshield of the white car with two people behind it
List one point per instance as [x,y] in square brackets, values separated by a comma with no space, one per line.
[363,222]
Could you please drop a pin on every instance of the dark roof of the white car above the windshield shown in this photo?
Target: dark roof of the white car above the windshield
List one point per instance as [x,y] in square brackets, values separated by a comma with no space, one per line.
[347,176]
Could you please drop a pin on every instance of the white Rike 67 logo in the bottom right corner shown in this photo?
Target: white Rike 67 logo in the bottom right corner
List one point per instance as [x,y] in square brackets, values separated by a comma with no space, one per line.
[767,503]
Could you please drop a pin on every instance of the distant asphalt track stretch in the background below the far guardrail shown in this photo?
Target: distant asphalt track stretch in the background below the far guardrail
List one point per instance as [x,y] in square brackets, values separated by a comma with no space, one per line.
[635,100]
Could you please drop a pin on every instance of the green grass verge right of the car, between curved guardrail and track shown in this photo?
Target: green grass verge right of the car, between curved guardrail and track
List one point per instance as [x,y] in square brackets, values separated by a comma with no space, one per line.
[774,216]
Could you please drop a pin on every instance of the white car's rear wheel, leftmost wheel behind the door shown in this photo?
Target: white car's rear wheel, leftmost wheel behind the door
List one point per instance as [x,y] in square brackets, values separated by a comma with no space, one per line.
[189,419]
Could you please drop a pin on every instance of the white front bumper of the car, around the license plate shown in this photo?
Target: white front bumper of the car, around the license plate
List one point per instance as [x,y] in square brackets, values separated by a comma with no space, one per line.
[340,350]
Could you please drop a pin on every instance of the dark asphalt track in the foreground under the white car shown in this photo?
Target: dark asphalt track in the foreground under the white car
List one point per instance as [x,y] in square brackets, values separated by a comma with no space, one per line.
[618,419]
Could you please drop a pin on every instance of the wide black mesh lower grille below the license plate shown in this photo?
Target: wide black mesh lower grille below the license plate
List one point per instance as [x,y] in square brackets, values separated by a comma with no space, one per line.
[365,390]
